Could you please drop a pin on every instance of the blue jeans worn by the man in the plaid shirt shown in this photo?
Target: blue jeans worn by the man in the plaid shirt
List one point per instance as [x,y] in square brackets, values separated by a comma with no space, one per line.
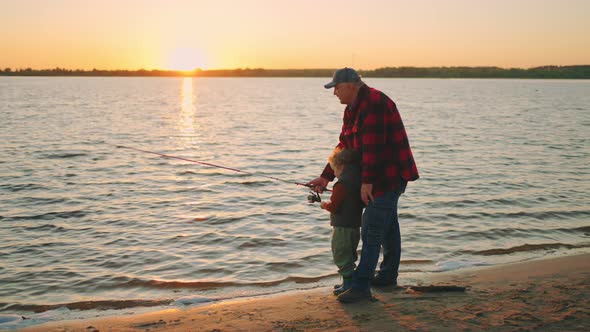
[380,228]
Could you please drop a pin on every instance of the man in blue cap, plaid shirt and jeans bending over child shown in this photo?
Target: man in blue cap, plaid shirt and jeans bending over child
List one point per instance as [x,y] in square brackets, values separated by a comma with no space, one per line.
[372,126]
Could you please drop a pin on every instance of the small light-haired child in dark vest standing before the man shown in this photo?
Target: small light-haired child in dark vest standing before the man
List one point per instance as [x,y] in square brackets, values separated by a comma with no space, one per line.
[346,209]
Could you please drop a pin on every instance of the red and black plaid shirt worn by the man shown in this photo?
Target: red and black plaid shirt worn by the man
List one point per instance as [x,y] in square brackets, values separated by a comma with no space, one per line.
[373,126]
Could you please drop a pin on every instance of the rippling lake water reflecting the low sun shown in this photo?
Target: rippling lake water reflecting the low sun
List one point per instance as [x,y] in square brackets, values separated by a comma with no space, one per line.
[503,165]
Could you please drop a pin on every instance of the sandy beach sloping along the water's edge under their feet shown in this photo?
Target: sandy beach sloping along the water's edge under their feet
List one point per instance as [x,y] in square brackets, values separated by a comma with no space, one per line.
[546,295]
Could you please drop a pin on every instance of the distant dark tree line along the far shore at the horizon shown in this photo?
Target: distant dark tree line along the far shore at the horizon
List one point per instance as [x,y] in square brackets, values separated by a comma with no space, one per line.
[569,72]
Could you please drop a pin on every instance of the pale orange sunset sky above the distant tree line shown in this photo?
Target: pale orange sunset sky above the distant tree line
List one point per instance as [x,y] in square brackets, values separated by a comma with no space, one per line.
[183,34]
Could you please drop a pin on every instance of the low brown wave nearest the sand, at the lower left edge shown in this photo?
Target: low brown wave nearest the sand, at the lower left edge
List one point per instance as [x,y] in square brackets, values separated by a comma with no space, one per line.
[87,305]
